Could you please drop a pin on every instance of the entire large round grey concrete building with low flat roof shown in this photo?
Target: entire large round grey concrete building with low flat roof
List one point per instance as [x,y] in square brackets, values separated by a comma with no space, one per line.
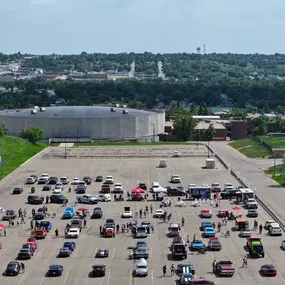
[93,122]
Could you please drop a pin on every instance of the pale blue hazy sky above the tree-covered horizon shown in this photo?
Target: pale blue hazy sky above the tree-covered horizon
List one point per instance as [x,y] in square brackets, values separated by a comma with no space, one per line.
[158,26]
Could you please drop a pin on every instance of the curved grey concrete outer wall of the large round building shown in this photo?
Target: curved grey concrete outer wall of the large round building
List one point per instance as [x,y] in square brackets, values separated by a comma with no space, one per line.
[94,128]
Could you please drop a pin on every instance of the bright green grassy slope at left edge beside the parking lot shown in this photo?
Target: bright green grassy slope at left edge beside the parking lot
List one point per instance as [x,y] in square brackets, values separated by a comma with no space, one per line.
[17,151]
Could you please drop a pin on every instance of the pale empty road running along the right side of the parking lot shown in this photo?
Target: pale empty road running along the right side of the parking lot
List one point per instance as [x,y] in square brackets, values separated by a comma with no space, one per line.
[251,171]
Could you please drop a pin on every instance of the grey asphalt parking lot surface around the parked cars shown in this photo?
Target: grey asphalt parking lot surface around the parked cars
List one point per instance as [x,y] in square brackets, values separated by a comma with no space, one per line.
[129,172]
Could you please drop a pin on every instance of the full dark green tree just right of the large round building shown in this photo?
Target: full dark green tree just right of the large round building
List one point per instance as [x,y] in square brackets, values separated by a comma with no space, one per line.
[184,127]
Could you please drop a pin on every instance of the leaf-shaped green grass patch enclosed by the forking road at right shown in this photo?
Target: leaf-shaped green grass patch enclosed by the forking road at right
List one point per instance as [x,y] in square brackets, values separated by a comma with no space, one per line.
[250,148]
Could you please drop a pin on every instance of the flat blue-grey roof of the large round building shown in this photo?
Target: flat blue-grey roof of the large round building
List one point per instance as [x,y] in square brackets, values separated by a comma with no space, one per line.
[77,112]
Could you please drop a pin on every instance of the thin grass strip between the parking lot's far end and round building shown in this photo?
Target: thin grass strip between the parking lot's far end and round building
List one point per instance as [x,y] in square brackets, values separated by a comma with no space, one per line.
[134,143]
